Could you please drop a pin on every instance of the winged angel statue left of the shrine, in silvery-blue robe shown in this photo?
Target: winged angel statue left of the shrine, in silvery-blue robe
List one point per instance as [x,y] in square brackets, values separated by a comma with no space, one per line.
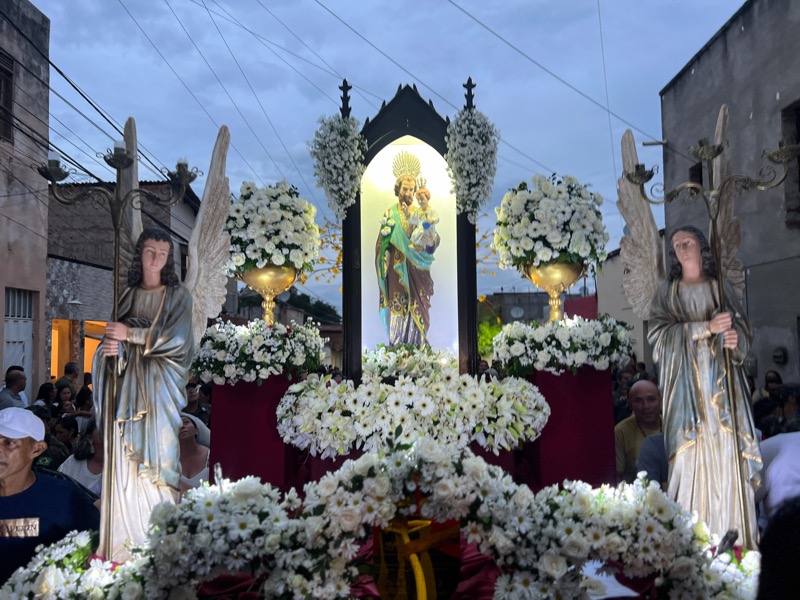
[153,340]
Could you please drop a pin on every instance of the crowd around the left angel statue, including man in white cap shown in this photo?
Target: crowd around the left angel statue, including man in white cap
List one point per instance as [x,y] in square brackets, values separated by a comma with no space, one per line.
[52,455]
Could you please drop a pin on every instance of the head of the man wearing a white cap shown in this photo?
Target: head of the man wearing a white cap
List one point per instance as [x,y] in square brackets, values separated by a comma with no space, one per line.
[21,441]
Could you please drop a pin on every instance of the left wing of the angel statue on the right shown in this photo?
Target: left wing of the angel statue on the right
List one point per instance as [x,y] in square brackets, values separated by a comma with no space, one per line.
[641,249]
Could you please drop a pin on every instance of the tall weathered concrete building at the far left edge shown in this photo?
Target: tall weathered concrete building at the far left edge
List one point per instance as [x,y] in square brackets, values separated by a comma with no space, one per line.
[24,113]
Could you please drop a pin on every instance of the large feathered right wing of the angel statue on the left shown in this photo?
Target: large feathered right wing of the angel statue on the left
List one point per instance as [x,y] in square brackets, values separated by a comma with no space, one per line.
[209,244]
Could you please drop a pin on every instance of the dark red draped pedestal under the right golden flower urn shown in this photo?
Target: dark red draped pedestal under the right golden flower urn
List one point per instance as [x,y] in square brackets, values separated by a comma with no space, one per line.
[578,440]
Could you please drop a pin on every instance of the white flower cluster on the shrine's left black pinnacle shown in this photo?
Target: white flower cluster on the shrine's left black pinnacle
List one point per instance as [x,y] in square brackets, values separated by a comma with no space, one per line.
[339,151]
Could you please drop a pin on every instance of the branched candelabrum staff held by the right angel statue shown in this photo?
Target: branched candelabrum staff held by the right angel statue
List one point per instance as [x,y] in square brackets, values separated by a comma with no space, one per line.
[713,199]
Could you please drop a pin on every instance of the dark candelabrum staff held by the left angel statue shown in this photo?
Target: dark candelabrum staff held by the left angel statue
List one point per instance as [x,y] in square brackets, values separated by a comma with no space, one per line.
[119,160]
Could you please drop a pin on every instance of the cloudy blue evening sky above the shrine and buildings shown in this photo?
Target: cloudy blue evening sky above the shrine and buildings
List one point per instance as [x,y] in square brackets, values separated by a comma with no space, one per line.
[561,80]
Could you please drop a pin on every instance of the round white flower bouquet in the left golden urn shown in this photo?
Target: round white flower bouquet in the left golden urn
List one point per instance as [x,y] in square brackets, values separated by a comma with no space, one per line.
[271,225]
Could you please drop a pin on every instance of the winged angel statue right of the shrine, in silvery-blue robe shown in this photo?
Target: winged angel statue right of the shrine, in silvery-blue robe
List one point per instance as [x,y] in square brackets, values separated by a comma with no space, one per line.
[714,463]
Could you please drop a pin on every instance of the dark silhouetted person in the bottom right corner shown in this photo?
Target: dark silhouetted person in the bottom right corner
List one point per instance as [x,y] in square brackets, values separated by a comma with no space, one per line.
[780,547]
